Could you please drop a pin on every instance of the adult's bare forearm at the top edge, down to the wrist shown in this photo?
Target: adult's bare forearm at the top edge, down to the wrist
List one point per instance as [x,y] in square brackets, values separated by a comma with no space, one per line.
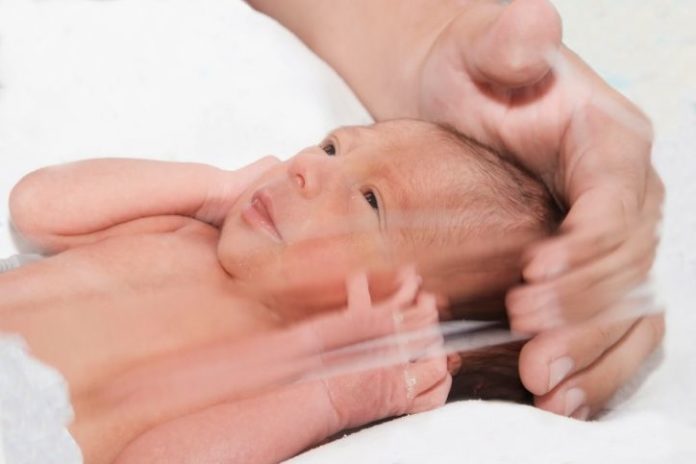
[375,45]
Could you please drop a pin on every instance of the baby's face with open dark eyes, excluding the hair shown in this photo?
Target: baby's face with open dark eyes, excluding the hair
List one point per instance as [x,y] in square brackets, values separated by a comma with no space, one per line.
[335,208]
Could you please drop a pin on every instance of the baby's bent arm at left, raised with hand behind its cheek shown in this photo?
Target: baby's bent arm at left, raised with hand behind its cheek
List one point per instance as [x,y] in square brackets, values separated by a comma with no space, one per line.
[63,206]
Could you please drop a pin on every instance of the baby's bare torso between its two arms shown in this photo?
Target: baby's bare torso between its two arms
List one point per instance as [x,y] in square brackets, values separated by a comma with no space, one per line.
[98,310]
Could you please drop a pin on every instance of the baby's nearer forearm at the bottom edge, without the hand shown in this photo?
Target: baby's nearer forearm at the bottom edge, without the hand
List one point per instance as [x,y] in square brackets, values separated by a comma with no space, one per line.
[264,429]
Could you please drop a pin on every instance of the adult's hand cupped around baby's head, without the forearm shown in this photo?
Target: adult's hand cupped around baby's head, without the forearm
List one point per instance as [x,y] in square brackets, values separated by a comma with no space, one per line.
[502,75]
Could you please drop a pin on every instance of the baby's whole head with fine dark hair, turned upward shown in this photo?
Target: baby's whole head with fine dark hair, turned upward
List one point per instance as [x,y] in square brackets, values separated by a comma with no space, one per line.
[375,197]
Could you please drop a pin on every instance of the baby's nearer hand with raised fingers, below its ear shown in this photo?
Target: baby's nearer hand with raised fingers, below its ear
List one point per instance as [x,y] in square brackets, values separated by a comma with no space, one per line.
[408,387]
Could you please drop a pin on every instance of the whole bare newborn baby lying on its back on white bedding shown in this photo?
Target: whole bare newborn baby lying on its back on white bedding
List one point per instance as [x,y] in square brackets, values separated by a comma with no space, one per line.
[164,267]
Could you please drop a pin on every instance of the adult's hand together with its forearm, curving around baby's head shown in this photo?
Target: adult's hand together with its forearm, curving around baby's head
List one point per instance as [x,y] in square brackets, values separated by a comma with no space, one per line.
[501,74]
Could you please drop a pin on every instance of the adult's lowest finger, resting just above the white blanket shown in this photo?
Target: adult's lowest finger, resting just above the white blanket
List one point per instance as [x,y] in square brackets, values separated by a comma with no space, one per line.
[586,392]
